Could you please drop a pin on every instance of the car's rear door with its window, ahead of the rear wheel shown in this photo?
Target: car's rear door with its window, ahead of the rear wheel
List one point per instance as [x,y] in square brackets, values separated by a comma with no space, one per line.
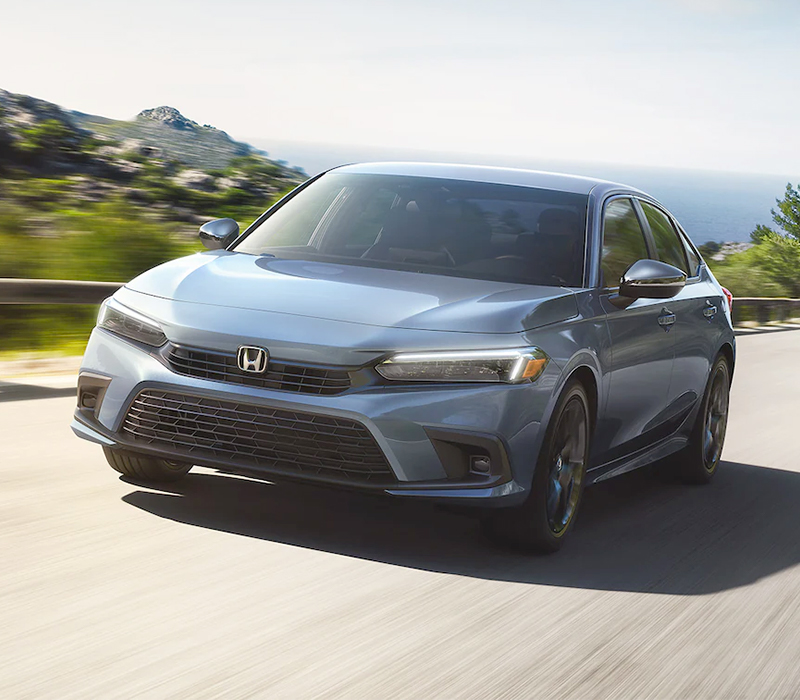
[697,307]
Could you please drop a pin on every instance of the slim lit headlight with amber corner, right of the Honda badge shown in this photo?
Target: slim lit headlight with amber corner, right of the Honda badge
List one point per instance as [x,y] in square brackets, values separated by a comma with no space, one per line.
[510,366]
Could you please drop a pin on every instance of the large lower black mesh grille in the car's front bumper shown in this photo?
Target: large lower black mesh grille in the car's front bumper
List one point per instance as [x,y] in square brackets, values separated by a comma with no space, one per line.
[291,441]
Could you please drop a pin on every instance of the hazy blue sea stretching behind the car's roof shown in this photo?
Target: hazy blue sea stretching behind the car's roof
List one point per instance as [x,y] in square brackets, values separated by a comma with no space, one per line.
[711,206]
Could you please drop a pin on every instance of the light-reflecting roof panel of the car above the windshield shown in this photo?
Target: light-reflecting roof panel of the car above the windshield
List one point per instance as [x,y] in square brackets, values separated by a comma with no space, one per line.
[479,173]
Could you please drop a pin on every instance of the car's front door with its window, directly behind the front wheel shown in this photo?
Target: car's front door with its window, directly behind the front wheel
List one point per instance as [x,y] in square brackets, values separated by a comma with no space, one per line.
[642,344]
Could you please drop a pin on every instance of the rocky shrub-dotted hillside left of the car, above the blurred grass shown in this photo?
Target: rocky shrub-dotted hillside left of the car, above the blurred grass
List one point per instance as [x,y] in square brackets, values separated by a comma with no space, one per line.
[173,167]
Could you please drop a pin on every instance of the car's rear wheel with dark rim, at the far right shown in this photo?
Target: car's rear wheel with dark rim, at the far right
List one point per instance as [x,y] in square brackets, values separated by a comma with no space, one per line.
[697,463]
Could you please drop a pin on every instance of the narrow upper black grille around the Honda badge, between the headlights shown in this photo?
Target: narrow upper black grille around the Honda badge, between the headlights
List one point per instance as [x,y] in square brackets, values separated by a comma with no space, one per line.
[222,367]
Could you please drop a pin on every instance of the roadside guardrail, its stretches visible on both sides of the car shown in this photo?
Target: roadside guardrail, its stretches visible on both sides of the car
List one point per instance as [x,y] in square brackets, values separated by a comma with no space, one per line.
[25,291]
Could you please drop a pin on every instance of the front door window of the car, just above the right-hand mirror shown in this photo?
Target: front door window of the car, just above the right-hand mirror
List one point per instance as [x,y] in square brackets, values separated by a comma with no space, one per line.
[623,241]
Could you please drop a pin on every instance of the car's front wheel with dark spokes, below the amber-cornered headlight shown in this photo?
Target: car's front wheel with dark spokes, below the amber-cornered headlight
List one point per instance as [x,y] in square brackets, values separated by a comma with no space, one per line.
[545,519]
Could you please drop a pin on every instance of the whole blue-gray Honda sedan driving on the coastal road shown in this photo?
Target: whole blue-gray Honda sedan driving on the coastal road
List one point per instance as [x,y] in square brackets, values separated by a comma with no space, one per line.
[490,338]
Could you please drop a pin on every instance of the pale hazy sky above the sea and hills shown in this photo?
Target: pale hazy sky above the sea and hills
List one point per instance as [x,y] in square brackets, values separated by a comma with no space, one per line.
[686,83]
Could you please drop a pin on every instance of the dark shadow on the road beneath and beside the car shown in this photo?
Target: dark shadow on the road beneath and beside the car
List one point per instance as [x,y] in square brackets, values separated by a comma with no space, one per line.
[635,533]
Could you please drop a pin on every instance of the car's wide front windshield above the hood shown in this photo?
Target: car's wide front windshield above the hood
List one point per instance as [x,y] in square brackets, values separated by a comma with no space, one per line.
[431,225]
